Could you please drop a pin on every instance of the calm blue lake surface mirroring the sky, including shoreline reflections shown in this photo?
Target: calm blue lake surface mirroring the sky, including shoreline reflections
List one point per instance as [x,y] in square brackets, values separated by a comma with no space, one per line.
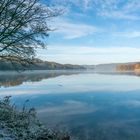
[89,105]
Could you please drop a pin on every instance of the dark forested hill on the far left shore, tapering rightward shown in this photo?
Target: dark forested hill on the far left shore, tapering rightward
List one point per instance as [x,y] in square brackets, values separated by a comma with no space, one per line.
[38,65]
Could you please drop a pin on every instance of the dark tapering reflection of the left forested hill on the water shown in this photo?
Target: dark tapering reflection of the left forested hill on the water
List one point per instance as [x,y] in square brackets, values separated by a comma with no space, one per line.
[8,79]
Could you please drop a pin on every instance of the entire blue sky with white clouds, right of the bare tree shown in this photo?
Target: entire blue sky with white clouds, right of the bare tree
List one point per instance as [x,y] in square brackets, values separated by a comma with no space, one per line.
[94,32]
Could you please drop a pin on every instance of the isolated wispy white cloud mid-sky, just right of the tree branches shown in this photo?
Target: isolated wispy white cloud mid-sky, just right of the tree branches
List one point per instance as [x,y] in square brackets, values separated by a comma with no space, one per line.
[71,30]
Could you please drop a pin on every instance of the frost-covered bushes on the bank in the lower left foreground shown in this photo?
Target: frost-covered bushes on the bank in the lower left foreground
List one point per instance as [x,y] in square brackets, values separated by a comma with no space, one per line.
[23,124]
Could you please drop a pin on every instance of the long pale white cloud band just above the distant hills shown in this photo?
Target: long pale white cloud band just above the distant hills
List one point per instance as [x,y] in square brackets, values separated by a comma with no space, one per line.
[90,55]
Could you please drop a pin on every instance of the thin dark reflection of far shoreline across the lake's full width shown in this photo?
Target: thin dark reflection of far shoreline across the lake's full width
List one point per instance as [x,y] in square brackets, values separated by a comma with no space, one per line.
[8,79]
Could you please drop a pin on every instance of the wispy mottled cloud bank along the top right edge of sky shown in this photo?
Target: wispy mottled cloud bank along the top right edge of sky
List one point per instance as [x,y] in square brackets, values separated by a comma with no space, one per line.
[116,9]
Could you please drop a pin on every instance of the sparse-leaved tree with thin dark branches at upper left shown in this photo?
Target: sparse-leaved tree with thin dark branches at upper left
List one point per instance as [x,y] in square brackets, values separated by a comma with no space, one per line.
[23,28]
